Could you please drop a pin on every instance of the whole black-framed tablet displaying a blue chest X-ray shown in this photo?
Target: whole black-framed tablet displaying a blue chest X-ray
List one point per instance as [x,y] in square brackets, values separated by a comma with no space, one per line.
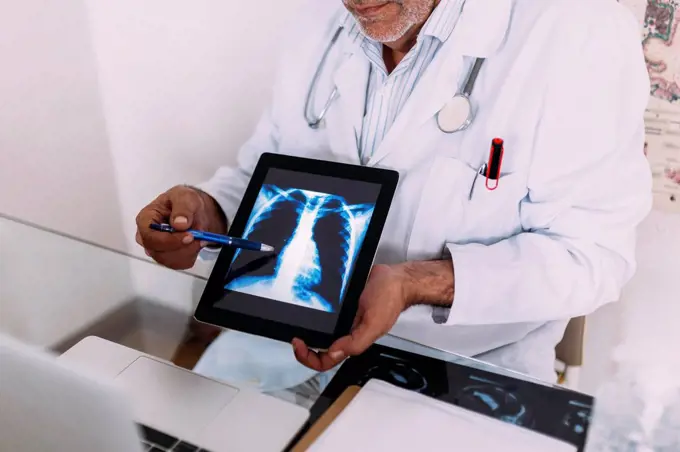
[324,220]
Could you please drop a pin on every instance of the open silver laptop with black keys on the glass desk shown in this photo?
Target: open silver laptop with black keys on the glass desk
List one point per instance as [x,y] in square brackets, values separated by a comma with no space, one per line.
[104,397]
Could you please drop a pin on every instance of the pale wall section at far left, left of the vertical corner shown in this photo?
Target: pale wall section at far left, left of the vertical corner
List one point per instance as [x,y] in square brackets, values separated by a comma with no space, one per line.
[55,162]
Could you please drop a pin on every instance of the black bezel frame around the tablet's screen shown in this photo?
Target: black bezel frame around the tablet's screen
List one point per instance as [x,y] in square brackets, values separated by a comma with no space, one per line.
[214,290]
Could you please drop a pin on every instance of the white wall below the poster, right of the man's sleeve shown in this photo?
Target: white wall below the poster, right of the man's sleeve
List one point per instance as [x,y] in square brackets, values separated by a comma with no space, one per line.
[643,326]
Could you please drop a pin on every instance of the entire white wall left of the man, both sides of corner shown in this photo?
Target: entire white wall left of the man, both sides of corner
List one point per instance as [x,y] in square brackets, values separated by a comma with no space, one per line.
[106,104]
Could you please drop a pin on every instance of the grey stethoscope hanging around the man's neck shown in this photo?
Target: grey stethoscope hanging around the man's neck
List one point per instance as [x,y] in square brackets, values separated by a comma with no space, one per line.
[455,116]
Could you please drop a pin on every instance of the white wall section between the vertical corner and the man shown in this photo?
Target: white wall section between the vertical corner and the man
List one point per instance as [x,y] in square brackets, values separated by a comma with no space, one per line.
[183,84]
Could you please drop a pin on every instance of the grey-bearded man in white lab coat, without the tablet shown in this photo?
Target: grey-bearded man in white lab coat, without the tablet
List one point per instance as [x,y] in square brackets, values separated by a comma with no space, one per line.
[491,273]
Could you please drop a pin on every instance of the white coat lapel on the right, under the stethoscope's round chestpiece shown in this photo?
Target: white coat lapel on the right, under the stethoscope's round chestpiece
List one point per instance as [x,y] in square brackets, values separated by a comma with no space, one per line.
[479,33]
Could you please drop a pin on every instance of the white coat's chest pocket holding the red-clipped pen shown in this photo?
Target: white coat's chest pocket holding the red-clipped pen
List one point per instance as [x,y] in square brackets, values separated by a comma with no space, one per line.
[491,210]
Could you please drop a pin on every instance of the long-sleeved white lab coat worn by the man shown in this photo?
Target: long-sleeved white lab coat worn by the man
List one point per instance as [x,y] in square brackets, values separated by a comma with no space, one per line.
[565,85]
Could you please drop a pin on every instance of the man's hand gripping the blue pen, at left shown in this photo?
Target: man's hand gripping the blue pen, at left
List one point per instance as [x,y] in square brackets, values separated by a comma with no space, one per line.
[181,208]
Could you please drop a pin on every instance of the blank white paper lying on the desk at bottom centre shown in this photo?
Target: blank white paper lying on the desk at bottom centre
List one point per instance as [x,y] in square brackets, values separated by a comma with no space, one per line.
[385,417]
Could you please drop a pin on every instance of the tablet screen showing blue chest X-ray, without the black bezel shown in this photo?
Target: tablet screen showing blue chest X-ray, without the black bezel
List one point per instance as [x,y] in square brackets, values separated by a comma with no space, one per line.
[317,225]
